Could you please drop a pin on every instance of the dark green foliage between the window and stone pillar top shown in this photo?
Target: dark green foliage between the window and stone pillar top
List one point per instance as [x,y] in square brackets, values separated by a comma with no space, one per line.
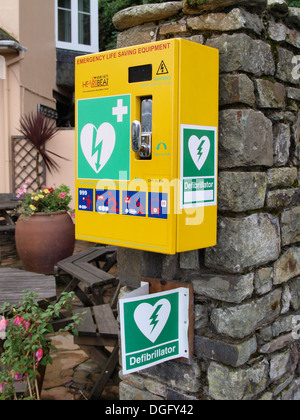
[107,9]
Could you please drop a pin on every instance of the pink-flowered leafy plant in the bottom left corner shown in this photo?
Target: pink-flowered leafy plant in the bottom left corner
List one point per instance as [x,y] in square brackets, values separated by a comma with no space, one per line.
[25,328]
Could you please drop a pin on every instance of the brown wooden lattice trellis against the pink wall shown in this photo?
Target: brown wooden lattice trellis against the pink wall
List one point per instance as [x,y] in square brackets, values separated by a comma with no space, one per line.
[24,164]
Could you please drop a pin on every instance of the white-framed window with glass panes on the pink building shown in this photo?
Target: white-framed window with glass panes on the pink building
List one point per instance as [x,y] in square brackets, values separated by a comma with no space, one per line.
[77,25]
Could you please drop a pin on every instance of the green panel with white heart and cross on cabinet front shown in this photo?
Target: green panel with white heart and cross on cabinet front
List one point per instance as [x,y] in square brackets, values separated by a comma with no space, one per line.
[103,143]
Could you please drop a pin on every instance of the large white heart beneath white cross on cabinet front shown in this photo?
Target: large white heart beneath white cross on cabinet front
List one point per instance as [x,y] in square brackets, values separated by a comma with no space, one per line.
[97,145]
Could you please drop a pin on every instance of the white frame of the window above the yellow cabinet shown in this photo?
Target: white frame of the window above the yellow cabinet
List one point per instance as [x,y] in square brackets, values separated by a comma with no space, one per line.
[74,45]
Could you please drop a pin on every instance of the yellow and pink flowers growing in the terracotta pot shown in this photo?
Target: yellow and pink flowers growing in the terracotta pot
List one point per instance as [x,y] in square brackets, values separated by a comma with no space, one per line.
[46,200]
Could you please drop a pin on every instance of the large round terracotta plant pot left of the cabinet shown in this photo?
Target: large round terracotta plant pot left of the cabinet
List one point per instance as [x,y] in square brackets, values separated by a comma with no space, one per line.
[44,239]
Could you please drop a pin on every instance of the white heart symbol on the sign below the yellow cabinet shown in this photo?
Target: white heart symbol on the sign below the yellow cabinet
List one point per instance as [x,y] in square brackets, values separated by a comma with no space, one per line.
[152,319]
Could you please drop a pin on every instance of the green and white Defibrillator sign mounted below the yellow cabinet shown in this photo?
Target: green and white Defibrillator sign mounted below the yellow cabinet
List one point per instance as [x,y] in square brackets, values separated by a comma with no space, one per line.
[154,329]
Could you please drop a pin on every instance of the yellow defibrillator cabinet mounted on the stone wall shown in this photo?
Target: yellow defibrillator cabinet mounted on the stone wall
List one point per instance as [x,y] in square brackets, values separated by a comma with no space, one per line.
[146,146]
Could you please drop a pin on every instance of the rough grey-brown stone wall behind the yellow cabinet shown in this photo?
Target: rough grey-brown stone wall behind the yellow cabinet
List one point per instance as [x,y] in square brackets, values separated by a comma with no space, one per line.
[247,288]
